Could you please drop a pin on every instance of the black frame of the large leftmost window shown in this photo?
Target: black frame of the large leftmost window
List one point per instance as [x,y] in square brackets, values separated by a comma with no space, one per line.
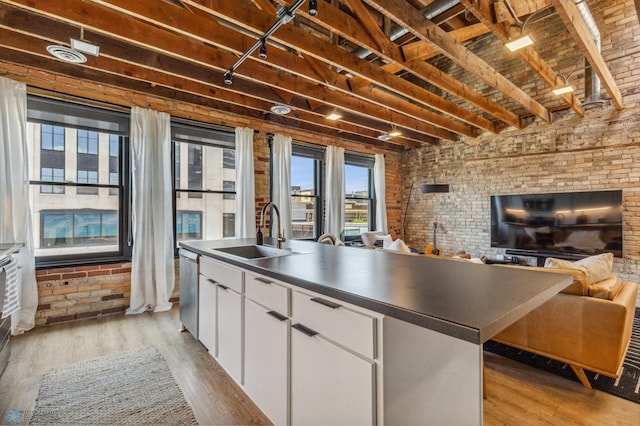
[79,116]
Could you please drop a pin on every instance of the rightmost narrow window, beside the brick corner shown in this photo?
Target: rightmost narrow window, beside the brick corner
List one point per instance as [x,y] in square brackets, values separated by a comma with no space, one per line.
[359,205]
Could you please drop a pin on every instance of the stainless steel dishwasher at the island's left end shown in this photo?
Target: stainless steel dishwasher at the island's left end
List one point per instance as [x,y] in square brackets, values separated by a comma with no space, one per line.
[189,291]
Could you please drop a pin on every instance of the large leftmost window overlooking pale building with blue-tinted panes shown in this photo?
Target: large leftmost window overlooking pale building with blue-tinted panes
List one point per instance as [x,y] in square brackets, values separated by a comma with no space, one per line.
[83,218]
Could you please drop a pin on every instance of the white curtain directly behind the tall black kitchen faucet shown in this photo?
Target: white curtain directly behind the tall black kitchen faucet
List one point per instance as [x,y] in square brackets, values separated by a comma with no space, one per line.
[281,183]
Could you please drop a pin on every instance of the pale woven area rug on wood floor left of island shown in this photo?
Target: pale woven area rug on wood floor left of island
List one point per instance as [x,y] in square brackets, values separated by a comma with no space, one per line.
[132,388]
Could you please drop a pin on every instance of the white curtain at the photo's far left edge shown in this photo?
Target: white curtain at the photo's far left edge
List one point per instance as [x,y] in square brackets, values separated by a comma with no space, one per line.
[15,214]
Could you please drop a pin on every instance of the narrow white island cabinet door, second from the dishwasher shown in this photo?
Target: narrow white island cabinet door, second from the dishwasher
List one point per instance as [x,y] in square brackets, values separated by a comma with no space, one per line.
[230,331]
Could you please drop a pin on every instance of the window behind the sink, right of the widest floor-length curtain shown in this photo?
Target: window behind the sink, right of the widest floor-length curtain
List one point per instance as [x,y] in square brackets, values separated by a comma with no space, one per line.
[204,187]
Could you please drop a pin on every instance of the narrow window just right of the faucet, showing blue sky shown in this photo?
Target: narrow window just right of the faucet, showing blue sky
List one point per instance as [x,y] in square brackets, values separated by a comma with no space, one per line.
[306,166]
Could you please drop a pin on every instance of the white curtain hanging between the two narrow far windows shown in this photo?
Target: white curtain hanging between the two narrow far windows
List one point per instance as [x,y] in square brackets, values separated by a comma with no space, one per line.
[334,192]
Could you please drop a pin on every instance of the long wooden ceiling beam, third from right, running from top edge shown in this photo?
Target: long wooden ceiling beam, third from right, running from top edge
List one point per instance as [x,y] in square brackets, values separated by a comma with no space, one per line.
[430,32]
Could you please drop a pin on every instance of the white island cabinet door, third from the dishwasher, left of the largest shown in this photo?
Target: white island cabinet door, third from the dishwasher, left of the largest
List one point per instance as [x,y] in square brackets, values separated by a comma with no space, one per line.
[266,360]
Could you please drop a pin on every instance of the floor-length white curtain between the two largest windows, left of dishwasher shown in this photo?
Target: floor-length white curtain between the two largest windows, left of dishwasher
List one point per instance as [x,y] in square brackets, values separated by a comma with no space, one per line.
[152,269]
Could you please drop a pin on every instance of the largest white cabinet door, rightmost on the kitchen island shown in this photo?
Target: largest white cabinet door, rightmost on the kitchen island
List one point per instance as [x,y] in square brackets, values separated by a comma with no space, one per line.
[329,385]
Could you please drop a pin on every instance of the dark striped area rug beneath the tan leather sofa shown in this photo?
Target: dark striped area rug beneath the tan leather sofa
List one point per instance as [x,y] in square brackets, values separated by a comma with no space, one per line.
[626,386]
